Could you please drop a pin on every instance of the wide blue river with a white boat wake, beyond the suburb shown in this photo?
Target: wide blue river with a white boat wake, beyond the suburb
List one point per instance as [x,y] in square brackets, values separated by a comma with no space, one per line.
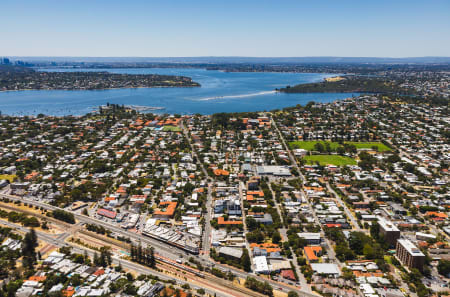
[220,92]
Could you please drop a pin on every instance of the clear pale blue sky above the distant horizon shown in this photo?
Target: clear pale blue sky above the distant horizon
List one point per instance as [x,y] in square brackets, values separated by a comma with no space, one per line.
[190,28]
